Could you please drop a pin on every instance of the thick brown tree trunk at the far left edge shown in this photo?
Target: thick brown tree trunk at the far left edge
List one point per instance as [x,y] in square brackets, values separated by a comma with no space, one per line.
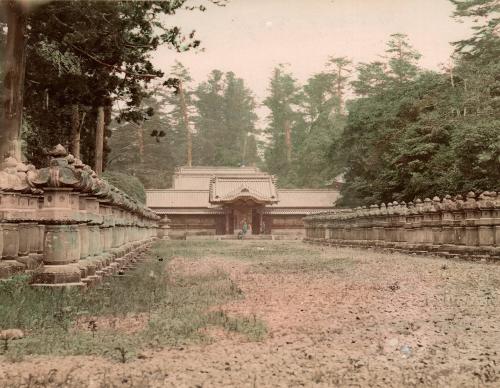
[15,64]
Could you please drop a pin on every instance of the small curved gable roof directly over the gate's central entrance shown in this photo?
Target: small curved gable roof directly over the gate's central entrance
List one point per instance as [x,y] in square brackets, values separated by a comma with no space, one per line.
[258,188]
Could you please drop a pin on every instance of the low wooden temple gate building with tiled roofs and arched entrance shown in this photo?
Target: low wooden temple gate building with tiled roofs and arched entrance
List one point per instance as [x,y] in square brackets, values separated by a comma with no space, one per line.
[219,200]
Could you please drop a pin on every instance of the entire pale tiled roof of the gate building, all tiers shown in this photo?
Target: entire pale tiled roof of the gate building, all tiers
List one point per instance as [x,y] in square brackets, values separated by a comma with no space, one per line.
[201,188]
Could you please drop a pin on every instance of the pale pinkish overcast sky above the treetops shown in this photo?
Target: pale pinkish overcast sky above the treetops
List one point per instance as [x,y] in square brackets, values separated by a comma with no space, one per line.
[250,37]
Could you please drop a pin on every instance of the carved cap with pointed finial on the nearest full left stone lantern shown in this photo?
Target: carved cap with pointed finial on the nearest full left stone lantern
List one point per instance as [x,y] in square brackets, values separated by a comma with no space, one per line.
[60,172]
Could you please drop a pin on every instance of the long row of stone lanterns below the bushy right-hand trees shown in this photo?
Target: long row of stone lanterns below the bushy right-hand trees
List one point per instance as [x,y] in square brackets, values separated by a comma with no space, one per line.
[456,226]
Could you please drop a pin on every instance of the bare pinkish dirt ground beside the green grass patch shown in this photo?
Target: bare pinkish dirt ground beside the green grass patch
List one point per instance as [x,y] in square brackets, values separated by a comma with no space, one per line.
[383,320]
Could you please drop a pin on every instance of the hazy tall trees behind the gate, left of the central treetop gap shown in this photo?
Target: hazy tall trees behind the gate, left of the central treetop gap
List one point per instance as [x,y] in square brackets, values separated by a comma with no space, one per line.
[221,115]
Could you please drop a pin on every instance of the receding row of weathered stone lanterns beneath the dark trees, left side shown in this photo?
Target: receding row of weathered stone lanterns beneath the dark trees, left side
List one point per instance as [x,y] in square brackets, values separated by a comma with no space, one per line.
[65,225]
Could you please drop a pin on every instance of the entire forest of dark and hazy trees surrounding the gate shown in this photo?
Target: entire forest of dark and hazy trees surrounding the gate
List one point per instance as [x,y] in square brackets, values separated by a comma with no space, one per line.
[389,129]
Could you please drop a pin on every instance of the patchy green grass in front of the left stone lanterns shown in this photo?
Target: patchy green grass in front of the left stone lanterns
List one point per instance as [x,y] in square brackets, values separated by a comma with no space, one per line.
[175,312]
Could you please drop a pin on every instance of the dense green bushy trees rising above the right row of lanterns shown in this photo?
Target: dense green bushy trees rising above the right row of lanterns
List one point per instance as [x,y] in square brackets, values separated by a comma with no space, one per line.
[419,134]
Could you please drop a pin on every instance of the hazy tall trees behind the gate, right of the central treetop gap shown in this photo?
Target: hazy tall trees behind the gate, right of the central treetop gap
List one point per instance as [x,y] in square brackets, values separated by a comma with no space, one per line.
[314,116]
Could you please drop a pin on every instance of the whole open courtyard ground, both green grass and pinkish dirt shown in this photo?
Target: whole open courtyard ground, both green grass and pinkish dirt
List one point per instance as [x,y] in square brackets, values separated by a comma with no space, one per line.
[261,314]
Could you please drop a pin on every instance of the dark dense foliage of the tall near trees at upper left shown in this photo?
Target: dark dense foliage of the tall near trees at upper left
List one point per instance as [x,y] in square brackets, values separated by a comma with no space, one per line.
[91,54]
